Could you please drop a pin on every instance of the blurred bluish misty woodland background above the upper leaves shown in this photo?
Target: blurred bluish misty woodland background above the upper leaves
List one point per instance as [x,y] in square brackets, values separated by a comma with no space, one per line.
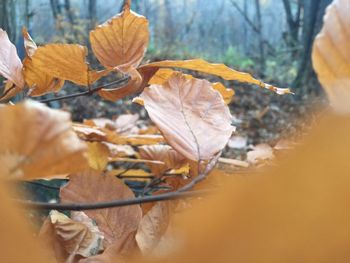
[271,38]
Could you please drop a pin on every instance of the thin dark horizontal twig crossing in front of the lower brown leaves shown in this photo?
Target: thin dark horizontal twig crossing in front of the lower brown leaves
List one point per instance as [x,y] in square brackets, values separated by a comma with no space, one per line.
[114,203]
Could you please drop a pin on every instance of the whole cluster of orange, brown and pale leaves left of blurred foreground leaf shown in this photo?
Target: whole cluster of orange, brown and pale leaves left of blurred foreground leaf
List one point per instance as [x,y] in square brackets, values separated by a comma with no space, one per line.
[192,126]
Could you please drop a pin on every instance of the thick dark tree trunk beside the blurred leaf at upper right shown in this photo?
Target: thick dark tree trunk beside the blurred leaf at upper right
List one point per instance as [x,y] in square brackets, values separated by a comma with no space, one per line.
[312,22]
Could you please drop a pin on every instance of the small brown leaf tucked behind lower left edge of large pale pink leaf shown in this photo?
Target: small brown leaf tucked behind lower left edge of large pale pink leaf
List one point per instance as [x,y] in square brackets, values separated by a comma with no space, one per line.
[164,153]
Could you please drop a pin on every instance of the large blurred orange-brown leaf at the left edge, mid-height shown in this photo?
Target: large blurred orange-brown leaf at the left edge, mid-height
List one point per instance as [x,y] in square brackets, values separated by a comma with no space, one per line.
[38,142]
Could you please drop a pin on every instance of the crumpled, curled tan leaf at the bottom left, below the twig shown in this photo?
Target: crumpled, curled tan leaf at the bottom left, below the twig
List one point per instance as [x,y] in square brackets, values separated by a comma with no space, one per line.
[66,238]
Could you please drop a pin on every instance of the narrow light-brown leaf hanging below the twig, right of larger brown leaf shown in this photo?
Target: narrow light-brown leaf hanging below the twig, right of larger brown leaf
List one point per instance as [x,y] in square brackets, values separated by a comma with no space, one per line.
[153,226]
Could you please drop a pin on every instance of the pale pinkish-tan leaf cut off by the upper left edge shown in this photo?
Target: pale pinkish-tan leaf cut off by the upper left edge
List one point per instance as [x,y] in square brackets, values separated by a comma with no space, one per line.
[10,64]
